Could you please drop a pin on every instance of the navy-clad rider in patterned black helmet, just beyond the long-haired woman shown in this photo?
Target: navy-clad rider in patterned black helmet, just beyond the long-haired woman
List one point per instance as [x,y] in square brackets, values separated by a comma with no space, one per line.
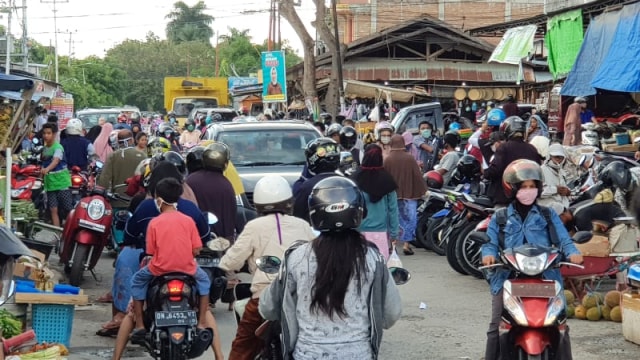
[323,159]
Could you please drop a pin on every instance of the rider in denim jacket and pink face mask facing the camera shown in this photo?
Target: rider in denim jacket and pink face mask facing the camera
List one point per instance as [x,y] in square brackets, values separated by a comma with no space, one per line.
[522,185]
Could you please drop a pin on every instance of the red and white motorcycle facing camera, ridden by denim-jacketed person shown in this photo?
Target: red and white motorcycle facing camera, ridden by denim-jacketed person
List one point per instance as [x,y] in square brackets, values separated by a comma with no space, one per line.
[534,317]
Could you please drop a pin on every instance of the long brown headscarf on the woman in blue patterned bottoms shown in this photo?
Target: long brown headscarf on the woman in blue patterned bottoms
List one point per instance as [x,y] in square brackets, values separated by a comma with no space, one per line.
[405,171]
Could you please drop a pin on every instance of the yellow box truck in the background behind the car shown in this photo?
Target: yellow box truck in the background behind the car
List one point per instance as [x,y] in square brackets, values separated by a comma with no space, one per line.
[183,94]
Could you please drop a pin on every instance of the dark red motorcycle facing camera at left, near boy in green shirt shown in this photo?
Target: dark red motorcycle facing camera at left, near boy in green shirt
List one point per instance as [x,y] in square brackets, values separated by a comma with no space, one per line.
[86,233]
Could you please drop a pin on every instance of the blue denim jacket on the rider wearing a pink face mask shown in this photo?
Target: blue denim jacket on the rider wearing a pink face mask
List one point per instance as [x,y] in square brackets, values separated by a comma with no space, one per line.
[534,229]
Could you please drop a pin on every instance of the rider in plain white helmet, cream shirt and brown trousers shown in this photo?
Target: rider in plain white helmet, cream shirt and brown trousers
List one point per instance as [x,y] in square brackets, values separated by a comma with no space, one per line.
[268,235]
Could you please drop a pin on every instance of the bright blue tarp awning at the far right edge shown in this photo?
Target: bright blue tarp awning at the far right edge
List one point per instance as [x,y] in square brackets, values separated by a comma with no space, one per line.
[620,69]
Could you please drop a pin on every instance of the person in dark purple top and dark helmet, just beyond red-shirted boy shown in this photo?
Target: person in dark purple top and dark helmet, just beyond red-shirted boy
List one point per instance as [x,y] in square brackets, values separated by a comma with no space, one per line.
[214,192]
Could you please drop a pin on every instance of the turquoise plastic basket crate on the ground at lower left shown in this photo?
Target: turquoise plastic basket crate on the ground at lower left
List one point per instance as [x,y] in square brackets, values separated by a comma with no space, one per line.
[53,323]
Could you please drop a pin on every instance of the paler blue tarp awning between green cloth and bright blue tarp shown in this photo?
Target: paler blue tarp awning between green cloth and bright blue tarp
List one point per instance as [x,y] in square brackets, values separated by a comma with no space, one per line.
[595,47]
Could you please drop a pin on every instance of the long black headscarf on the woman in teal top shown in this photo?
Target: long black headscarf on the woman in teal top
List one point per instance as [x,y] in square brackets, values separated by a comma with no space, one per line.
[371,177]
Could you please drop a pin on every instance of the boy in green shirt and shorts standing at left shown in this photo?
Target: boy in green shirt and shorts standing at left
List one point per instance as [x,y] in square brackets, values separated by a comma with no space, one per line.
[57,179]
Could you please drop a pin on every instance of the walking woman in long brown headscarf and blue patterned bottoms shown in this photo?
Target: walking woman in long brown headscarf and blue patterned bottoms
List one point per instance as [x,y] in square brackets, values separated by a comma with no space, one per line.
[411,187]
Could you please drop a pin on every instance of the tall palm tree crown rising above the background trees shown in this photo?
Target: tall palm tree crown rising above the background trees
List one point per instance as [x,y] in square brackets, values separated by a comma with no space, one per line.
[189,23]
